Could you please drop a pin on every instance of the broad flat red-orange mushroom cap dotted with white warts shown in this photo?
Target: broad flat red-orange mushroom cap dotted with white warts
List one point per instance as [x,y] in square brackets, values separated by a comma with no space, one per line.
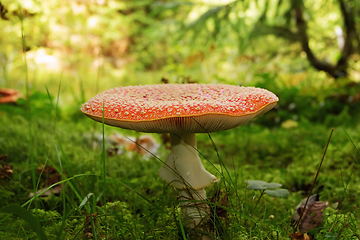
[176,108]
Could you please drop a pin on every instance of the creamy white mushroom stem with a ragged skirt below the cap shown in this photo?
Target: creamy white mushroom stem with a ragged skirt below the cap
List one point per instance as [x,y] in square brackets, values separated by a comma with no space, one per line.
[183,170]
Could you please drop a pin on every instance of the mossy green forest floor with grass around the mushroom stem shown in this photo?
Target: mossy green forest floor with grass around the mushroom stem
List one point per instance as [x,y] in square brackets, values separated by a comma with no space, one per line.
[104,195]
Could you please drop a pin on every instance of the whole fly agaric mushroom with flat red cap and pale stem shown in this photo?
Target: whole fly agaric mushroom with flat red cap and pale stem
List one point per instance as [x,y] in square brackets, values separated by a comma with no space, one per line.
[181,110]
